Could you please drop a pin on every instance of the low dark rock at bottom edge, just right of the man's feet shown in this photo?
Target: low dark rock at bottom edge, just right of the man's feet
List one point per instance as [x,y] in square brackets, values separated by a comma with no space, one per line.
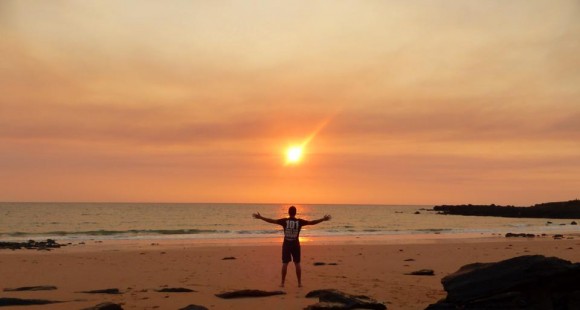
[334,299]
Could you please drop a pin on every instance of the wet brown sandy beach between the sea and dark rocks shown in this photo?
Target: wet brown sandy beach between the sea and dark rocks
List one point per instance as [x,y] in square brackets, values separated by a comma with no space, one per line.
[140,268]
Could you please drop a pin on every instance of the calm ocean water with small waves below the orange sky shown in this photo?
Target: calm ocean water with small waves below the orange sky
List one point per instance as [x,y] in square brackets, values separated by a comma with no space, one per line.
[101,221]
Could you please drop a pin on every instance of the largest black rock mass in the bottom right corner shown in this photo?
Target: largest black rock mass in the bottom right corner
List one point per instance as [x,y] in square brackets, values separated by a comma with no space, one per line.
[525,282]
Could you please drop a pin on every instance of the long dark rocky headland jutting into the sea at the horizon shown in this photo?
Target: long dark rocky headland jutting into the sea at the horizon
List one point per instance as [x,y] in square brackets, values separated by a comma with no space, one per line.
[556,210]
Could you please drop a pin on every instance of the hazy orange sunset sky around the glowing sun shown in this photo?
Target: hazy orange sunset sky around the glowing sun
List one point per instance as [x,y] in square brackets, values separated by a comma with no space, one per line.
[195,101]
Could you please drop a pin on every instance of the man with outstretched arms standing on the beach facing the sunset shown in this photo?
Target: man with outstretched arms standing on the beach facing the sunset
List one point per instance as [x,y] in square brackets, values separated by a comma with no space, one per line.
[291,245]
